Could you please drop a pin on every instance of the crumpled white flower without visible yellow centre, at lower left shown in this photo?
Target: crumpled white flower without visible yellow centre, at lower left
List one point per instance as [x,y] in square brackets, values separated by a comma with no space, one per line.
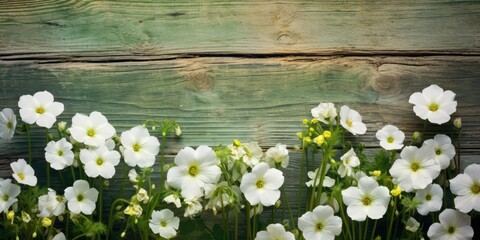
[51,204]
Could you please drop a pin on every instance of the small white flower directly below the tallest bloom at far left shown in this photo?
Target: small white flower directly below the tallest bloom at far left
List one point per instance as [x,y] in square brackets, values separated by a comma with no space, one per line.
[59,154]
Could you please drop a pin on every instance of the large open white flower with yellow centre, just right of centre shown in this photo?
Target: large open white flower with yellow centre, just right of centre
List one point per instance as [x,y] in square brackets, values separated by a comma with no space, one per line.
[262,184]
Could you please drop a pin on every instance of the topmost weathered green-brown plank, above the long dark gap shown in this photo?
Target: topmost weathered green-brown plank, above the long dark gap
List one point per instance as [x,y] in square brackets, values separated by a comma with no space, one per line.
[252,27]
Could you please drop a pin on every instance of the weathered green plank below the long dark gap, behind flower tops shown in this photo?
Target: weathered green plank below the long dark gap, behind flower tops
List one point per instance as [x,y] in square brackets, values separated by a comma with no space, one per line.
[217,100]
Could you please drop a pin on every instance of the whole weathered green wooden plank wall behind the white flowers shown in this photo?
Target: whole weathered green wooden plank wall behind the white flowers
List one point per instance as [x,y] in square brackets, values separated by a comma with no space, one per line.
[240,70]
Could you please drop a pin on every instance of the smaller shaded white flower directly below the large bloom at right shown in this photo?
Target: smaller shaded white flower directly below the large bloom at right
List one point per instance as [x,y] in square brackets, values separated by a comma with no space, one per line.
[430,199]
